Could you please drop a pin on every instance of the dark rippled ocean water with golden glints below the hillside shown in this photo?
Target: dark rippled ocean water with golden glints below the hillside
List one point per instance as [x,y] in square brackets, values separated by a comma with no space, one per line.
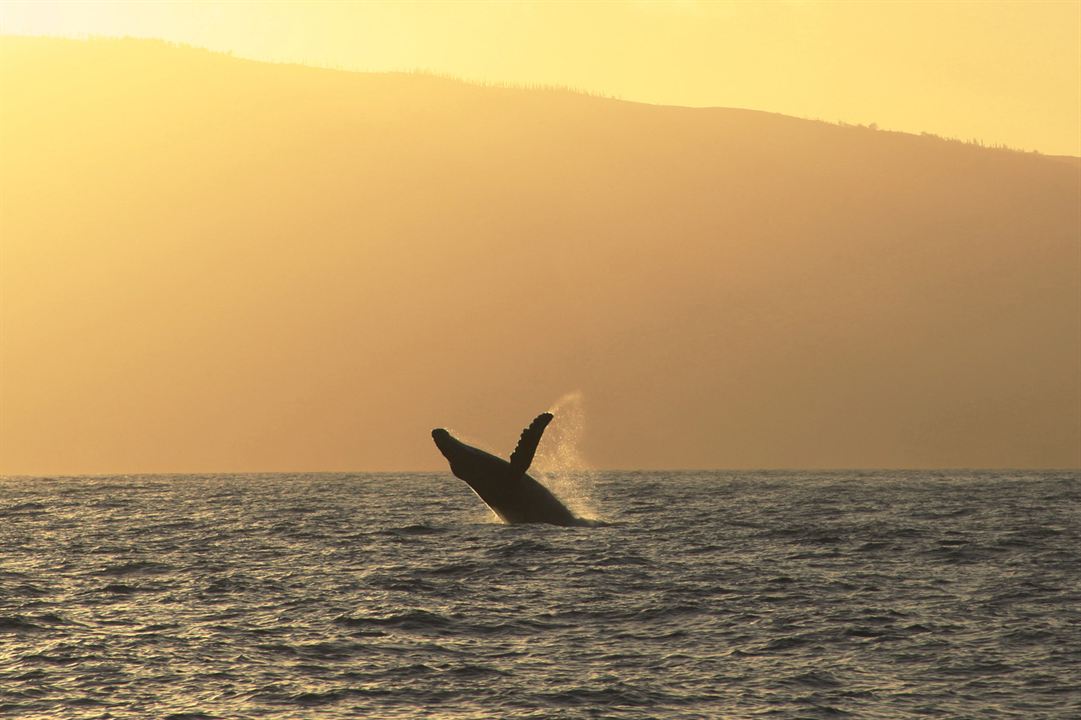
[712,595]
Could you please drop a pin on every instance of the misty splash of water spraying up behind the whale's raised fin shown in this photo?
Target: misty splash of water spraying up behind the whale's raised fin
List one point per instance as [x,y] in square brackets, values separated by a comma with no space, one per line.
[559,463]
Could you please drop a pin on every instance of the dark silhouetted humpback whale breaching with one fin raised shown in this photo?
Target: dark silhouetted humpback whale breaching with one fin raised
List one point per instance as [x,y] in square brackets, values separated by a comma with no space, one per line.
[506,486]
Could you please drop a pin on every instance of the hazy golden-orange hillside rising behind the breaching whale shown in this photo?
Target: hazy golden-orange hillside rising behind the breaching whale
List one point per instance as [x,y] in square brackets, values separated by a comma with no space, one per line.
[216,264]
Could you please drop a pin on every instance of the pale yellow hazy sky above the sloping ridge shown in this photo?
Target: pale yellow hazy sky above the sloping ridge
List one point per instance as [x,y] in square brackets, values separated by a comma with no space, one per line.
[1004,73]
